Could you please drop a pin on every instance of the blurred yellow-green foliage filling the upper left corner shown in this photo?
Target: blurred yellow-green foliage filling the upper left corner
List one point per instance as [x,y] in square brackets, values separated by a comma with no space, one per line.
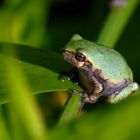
[32,14]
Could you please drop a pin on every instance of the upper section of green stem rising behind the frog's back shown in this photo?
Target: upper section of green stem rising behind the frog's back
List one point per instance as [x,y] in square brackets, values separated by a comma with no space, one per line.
[115,23]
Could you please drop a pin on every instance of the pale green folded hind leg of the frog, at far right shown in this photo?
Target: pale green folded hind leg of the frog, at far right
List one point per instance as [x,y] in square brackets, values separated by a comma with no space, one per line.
[116,97]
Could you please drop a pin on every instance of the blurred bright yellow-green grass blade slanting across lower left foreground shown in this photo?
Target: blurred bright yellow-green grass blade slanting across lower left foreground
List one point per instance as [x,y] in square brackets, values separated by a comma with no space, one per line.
[23,101]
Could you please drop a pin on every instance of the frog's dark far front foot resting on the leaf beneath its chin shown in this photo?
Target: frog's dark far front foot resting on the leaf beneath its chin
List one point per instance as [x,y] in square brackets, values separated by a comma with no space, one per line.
[72,76]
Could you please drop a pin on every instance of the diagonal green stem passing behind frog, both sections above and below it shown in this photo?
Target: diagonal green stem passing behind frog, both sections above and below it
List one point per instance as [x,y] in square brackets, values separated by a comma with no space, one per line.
[110,33]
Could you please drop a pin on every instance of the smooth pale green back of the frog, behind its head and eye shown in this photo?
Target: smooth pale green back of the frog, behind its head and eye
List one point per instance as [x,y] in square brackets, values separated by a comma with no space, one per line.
[110,62]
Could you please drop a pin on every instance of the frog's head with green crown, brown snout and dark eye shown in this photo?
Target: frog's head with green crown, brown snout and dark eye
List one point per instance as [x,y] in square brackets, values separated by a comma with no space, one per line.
[77,51]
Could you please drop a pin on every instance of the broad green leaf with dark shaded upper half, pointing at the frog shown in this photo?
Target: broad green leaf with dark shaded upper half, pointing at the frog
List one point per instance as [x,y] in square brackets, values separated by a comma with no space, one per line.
[42,69]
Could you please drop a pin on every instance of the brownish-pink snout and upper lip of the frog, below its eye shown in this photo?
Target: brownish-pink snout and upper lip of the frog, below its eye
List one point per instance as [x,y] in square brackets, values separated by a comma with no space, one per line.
[70,57]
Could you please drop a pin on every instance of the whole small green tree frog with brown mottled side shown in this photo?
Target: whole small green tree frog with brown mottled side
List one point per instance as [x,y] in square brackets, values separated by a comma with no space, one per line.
[102,71]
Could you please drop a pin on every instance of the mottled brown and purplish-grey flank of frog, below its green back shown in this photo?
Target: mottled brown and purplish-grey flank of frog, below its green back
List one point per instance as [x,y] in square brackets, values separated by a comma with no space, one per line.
[95,75]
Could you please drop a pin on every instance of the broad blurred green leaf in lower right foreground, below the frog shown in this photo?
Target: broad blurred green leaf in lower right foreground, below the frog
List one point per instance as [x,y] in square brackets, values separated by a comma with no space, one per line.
[118,122]
